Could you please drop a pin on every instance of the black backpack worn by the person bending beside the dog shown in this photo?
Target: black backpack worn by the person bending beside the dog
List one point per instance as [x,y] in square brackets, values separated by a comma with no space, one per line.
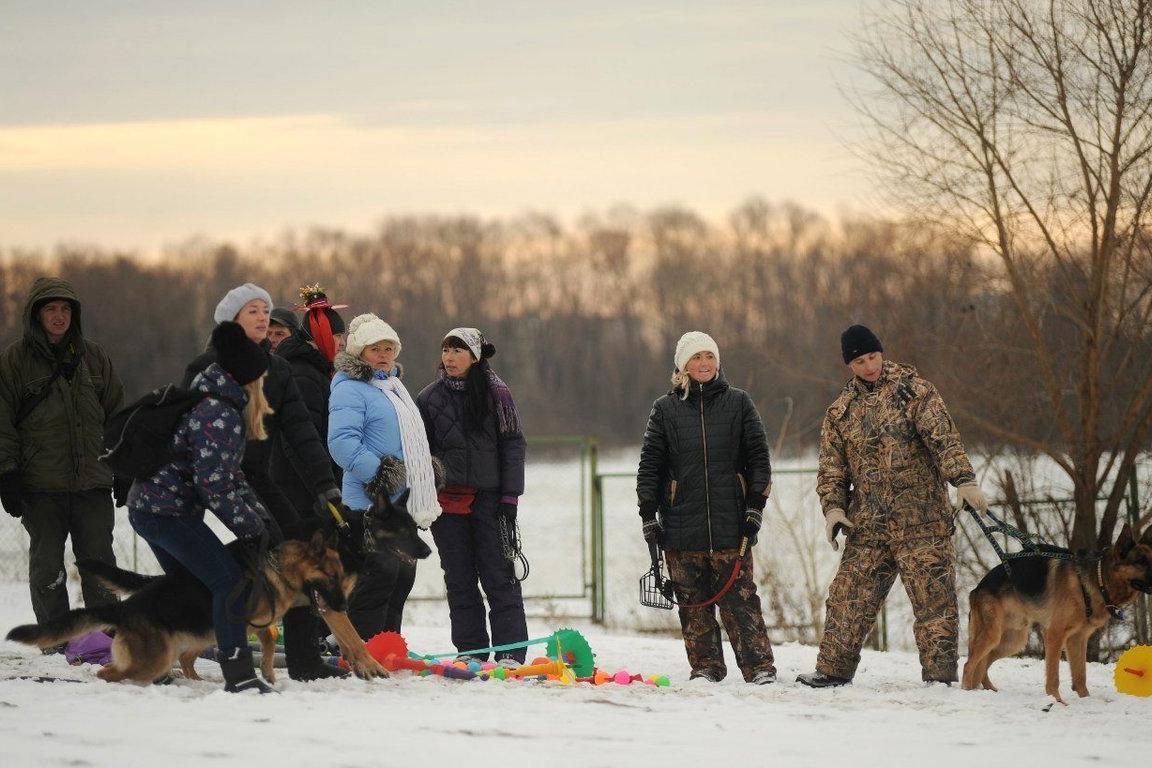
[138,439]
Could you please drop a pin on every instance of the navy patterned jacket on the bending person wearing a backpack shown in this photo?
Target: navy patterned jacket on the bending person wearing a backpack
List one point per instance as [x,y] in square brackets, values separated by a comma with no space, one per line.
[206,474]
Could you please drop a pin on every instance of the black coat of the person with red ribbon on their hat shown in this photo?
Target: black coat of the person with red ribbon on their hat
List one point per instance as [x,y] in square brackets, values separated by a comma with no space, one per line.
[313,375]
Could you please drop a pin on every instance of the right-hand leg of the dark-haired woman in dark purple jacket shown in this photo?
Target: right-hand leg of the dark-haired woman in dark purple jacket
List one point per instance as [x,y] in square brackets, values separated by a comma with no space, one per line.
[506,602]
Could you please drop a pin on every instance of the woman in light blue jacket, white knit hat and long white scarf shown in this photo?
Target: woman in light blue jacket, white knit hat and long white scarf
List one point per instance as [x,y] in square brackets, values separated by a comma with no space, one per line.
[376,435]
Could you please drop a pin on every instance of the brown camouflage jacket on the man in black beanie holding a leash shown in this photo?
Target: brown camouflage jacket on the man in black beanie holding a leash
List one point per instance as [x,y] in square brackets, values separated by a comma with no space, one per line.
[886,452]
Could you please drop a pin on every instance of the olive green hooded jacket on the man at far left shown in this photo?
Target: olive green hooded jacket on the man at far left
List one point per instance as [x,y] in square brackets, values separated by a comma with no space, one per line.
[56,446]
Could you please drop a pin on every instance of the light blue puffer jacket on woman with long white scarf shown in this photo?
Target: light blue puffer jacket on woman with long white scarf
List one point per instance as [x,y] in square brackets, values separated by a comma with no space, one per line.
[363,428]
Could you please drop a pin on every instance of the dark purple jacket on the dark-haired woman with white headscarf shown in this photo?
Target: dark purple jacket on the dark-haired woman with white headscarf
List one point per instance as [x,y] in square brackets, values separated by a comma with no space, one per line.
[484,460]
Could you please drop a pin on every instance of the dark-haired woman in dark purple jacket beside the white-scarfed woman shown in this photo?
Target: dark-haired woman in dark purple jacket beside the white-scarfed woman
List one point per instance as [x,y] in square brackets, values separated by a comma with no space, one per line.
[475,430]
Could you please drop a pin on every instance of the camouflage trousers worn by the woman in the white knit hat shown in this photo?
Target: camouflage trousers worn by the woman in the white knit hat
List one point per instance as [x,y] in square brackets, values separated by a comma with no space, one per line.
[699,576]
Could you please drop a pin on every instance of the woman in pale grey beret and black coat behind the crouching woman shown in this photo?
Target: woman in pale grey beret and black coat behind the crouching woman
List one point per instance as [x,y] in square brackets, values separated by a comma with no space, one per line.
[290,428]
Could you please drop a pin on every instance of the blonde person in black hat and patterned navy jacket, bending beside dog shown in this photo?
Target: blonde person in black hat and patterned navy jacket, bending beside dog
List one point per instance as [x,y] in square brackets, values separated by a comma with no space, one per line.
[168,510]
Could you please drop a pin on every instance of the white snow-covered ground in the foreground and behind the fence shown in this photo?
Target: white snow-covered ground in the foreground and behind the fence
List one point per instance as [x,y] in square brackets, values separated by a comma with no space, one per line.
[888,718]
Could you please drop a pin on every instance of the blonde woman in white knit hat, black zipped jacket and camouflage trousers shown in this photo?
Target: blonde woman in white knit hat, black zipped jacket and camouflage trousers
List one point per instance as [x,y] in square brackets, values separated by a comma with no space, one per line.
[703,483]
